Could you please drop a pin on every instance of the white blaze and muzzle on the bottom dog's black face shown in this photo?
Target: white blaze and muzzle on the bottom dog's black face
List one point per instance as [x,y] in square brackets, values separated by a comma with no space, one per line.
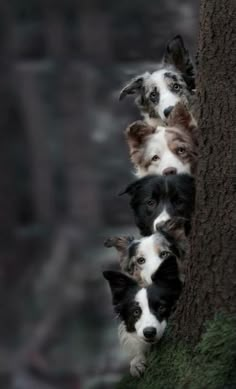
[147,318]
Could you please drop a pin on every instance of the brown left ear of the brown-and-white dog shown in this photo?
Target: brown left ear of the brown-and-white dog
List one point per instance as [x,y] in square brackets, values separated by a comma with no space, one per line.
[136,134]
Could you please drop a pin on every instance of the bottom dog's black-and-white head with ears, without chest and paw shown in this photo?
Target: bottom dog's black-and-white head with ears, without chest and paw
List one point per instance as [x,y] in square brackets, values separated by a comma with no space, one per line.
[145,311]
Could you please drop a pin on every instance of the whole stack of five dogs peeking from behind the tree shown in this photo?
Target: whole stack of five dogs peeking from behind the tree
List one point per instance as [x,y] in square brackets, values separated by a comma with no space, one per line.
[163,150]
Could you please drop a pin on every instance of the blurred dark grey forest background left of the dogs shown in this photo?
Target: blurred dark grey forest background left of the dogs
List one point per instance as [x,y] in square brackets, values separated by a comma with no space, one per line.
[63,160]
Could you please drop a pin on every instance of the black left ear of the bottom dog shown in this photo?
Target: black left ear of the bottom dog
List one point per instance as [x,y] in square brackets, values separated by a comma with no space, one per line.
[119,283]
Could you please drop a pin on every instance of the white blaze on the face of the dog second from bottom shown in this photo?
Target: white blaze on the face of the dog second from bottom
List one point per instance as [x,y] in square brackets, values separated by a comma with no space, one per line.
[147,250]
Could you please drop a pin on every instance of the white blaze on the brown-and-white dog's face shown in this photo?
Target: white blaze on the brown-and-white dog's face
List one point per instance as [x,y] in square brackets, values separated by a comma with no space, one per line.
[157,145]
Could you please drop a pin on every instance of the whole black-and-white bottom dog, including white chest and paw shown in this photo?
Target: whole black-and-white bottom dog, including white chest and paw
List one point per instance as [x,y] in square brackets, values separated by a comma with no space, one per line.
[143,312]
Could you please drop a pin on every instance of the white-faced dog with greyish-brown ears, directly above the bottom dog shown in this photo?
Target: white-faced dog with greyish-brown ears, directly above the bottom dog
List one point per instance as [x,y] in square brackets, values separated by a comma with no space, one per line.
[141,257]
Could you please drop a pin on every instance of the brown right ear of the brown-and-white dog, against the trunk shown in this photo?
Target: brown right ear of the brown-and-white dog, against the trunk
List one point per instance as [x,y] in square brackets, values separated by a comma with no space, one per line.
[181,117]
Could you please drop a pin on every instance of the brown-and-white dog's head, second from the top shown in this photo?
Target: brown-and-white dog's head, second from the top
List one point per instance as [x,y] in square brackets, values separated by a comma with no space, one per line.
[170,149]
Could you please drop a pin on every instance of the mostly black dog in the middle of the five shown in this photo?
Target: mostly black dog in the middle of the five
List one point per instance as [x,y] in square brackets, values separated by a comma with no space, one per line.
[156,199]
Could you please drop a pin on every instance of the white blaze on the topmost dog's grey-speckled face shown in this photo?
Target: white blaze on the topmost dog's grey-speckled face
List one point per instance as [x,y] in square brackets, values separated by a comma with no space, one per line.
[167,98]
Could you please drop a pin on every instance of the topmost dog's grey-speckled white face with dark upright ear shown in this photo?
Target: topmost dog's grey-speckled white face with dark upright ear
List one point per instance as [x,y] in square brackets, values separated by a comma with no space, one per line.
[158,92]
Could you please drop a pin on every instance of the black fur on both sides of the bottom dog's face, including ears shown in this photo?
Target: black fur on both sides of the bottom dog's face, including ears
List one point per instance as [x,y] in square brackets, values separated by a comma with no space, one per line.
[163,292]
